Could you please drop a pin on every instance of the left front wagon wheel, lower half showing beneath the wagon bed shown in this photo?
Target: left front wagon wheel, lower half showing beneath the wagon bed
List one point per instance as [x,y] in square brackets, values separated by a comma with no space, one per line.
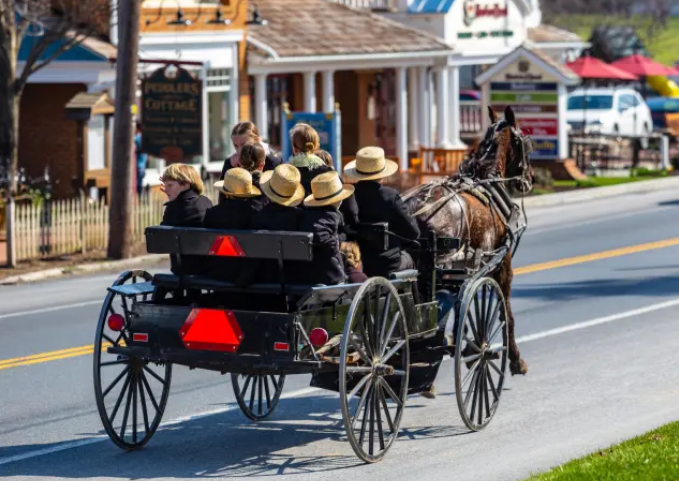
[257,395]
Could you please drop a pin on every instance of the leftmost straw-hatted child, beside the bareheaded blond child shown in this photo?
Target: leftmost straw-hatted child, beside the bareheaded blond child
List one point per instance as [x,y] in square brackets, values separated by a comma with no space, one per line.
[242,200]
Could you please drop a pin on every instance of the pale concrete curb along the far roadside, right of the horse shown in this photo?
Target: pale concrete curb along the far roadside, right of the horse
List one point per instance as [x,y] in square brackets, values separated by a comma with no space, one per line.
[566,198]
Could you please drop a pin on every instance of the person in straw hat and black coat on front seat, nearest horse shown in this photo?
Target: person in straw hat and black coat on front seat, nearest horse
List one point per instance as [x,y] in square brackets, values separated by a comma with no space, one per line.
[377,203]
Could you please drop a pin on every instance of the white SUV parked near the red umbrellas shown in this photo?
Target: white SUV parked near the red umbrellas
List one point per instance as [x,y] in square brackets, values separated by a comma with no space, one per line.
[609,111]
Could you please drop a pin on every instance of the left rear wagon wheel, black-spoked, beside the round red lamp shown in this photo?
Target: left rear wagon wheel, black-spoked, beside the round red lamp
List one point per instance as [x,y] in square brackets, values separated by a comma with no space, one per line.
[131,393]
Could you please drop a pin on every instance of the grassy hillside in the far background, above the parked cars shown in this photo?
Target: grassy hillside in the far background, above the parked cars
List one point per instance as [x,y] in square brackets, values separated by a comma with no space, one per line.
[662,44]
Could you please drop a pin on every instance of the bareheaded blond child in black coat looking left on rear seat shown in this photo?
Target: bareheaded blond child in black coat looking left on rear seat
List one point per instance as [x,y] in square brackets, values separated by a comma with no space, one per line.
[186,207]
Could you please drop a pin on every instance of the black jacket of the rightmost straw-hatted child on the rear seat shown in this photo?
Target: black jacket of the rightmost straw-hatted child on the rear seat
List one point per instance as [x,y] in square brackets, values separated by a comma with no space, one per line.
[327,266]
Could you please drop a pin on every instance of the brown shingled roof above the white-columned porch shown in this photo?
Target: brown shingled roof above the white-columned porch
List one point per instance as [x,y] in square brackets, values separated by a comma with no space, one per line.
[311,28]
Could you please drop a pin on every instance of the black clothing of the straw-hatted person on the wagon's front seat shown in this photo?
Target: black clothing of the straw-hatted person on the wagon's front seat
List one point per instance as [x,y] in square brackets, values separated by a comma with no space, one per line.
[377,203]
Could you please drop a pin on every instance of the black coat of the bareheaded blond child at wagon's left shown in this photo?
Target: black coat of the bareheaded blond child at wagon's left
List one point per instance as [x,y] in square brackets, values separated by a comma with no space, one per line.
[187,210]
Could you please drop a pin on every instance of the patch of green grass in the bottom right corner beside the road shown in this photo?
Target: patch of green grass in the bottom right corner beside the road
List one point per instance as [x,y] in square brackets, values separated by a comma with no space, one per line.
[654,456]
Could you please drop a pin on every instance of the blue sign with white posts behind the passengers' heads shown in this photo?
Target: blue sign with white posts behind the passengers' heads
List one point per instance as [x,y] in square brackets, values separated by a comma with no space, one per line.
[329,128]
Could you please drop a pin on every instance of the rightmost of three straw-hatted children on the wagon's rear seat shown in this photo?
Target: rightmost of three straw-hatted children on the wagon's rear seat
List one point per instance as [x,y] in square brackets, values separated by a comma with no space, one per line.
[322,218]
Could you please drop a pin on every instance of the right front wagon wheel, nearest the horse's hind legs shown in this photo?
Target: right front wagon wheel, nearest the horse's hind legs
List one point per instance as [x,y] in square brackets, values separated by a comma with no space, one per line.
[481,352]
